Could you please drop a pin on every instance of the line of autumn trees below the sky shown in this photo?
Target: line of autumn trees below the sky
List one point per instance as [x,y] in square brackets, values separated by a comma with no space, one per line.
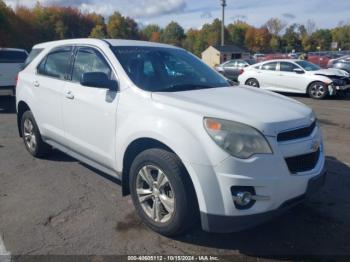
[23,27]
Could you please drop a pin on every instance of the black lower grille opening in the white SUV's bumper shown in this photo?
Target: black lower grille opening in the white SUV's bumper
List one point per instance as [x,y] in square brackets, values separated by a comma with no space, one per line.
[302,163]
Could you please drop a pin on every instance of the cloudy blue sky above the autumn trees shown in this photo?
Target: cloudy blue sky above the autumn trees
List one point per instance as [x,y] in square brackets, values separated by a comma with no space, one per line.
[195,13]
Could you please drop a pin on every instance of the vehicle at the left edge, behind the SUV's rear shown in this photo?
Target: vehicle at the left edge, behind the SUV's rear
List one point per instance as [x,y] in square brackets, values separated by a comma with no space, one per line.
[11,61]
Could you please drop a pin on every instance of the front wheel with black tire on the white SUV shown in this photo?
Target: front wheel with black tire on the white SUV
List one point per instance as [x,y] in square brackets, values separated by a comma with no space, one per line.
[177,202]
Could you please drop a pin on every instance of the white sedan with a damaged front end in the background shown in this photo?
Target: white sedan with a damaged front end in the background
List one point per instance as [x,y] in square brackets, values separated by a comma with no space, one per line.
[296,76]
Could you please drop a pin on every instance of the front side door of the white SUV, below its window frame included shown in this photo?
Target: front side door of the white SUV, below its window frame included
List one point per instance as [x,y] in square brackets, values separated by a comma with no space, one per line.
[89,113]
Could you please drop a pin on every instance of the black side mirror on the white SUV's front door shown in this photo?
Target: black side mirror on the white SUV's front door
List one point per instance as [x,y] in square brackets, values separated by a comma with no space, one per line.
[99,80]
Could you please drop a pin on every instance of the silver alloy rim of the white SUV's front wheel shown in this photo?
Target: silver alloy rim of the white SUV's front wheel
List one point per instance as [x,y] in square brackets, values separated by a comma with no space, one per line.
[155,194]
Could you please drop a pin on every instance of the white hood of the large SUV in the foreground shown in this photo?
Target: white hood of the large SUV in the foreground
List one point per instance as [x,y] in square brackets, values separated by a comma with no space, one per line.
[266,111]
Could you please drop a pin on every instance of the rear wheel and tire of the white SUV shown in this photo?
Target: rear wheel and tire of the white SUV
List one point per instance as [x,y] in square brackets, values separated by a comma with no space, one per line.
[31,136]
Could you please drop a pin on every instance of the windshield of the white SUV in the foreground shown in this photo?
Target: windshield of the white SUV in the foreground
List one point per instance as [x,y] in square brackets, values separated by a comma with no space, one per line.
[159,69]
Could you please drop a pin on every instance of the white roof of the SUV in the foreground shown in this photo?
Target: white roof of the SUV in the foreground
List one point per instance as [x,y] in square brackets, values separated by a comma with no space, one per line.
[94,41]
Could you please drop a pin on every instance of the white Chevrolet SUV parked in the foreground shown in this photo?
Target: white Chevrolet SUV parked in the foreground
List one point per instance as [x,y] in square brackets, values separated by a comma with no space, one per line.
[184,143]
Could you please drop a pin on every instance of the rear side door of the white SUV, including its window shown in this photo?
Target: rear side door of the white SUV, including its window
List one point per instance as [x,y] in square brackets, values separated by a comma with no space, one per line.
[48,85]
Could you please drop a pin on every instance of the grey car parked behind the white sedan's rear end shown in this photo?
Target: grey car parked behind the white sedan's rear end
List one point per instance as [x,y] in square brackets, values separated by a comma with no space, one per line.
[233,68]
